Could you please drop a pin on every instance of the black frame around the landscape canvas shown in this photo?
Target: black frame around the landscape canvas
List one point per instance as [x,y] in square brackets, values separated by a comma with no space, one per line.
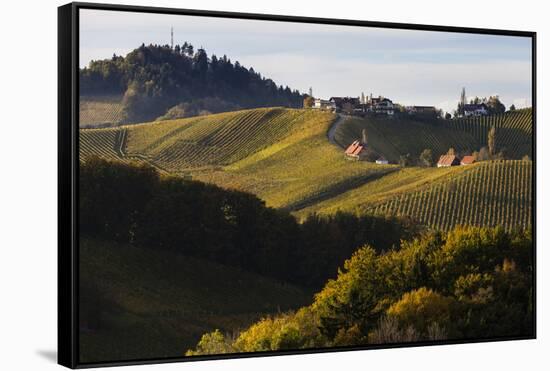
[68,171]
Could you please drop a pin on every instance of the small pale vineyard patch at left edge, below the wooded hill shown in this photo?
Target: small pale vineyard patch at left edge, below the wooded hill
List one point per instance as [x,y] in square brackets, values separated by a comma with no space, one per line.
[100,110]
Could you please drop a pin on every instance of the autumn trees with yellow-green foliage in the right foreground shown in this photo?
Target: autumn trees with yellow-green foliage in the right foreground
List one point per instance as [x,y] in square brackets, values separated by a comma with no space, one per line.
[470,283]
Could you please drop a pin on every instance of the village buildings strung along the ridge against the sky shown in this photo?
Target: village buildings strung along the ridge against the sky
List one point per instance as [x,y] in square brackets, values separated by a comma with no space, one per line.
[385,106]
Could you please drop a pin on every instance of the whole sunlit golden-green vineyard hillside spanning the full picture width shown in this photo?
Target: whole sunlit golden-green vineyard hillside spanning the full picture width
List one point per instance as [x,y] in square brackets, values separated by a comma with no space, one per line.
[283,156]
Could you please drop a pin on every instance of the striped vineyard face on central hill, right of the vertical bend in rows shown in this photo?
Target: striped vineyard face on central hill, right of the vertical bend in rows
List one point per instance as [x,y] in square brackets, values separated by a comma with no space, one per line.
[211,140]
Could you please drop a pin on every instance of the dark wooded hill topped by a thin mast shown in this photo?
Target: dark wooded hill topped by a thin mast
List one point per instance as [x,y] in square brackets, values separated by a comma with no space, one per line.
[158,81]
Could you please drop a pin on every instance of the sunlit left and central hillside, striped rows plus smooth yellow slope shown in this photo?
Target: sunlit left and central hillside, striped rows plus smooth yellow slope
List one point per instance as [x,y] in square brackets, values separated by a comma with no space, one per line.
[281,155]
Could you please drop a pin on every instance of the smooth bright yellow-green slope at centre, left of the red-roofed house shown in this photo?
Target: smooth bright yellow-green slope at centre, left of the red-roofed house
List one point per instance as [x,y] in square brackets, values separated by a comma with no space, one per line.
[301,169]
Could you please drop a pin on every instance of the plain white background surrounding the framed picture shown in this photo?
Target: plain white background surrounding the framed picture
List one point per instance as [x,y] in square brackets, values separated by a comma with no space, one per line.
[28,155]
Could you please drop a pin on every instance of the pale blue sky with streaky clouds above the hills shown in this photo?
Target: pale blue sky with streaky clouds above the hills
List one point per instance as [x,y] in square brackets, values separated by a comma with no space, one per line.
[410,67]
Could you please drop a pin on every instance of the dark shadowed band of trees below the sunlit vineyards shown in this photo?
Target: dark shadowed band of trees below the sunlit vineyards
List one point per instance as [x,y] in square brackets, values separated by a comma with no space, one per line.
[132,204]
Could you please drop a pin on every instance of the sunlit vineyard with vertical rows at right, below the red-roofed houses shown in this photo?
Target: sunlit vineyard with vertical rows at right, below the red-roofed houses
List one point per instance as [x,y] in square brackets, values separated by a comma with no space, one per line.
[490,194]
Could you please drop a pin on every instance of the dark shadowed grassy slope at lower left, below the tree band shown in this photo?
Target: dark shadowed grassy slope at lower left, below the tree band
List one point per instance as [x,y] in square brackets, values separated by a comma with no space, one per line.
[158,304]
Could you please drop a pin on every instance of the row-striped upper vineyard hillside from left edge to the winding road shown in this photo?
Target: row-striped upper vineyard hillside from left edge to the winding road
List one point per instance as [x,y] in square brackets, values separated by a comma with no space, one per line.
[197,142]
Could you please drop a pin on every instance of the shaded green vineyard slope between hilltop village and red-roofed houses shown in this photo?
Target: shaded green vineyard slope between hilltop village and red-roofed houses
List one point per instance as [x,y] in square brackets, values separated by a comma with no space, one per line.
[393,138]
